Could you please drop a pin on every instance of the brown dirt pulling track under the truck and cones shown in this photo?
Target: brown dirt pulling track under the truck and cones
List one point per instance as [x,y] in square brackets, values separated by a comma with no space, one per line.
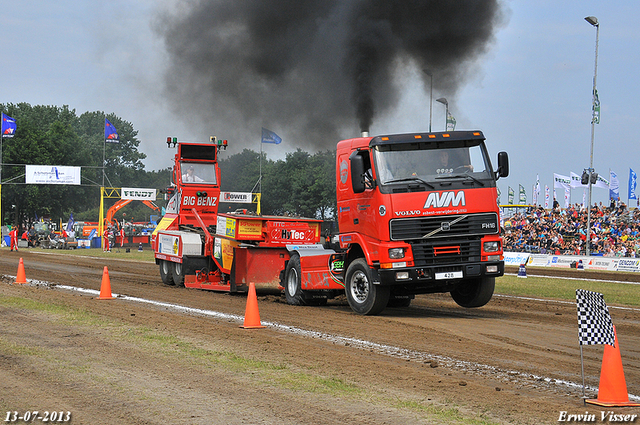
[127,362]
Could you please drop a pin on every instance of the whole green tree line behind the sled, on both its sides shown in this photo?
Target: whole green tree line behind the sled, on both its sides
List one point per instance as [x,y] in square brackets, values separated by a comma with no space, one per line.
[303,184]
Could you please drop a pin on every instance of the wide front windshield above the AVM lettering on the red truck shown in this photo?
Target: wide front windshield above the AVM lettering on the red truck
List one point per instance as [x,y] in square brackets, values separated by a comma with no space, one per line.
[399,163]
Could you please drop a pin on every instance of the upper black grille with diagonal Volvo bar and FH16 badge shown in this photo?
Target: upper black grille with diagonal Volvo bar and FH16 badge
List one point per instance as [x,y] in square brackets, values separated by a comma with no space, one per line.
[406,229]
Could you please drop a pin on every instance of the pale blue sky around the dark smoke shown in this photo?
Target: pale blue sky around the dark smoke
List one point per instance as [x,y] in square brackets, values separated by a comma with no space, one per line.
[530,94]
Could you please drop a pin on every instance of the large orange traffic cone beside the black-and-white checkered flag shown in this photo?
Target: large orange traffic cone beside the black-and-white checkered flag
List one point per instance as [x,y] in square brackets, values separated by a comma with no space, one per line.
[613,387]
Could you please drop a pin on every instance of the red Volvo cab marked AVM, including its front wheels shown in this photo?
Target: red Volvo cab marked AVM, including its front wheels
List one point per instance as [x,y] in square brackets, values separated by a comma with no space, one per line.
[420,210]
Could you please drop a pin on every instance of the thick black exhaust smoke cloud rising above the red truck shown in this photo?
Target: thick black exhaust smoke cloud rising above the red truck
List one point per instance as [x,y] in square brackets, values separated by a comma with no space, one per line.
[313,67]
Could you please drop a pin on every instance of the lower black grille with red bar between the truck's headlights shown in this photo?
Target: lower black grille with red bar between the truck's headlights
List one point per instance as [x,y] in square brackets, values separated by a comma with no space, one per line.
[458,250]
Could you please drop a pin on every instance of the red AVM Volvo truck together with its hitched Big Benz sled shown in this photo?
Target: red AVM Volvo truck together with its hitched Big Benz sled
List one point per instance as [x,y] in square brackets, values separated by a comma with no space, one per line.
[417,214]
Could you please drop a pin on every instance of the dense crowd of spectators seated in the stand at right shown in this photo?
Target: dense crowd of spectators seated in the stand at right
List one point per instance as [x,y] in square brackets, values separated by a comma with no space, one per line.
[615,231]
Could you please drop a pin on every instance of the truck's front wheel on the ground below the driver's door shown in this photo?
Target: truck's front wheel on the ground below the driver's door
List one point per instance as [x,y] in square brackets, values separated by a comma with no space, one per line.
[364,297]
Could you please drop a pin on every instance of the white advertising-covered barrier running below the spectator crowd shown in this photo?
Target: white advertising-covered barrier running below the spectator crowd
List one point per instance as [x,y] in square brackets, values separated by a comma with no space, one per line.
[565,261]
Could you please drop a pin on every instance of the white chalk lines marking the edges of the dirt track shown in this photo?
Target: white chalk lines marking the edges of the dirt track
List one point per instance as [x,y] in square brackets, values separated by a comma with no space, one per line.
[509,376]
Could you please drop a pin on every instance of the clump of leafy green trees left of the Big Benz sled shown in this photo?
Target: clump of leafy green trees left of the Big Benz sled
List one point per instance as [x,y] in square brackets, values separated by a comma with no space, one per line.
[51,135]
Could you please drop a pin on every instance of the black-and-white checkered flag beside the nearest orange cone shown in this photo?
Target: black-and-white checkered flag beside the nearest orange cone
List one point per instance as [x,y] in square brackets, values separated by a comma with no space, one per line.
[594,321]
